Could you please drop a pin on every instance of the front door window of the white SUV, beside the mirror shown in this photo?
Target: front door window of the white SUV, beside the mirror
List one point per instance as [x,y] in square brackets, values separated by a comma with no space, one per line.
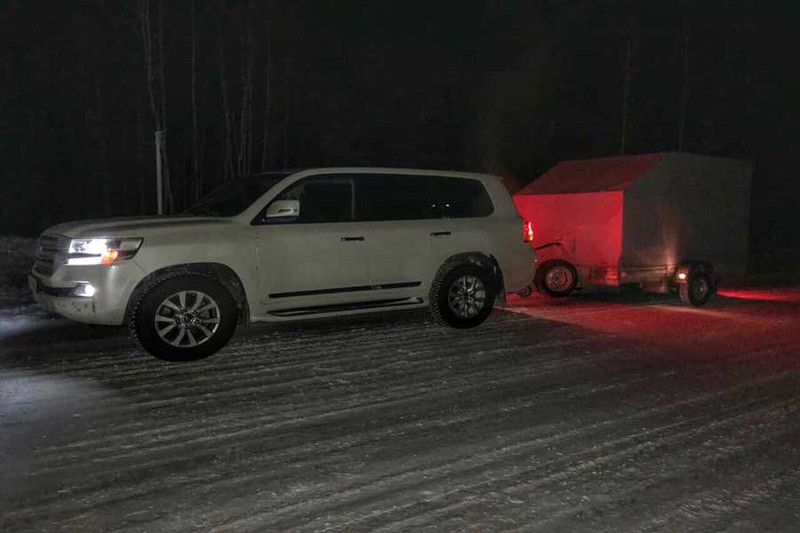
[325,199]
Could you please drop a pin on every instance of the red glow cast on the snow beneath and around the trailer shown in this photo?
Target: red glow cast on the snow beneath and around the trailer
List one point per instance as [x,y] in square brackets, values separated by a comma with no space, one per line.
[740,319]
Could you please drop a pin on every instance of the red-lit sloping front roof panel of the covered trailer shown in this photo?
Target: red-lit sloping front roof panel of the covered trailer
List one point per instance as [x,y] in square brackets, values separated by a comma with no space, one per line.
[593,175]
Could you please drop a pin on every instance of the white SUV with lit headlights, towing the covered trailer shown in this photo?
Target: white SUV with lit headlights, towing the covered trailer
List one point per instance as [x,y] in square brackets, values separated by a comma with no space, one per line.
[284,246]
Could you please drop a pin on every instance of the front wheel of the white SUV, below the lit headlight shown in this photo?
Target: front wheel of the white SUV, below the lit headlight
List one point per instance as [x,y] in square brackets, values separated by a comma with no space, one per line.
[184,318]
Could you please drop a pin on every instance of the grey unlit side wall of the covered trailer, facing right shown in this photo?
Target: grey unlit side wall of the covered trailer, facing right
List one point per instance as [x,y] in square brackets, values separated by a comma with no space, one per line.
[688,208]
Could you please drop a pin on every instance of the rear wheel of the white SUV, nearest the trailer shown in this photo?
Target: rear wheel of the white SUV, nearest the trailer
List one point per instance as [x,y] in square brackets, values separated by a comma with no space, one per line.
[462,296]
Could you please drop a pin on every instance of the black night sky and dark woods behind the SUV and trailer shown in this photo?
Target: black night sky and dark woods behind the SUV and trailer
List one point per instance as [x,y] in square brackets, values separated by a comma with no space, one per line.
[501,86]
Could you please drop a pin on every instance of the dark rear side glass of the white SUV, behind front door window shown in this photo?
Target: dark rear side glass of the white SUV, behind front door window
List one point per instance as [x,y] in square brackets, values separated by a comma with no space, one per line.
[389,197]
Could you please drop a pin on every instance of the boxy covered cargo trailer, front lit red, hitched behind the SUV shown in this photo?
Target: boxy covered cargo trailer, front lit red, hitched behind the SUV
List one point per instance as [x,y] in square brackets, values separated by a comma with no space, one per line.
[656,221]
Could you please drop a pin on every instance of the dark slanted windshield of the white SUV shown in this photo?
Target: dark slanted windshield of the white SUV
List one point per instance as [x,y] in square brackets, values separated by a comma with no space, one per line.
[233,197]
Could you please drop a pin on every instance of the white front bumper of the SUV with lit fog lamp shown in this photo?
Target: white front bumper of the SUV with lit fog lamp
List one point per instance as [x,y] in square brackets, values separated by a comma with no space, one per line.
[113,286]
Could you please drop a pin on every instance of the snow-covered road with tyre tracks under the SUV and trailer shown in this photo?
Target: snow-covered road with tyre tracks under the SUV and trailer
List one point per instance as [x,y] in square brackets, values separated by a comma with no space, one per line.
[605,412]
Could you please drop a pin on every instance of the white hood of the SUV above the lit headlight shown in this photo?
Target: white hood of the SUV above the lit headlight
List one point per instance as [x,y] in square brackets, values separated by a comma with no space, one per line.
[131,226]
